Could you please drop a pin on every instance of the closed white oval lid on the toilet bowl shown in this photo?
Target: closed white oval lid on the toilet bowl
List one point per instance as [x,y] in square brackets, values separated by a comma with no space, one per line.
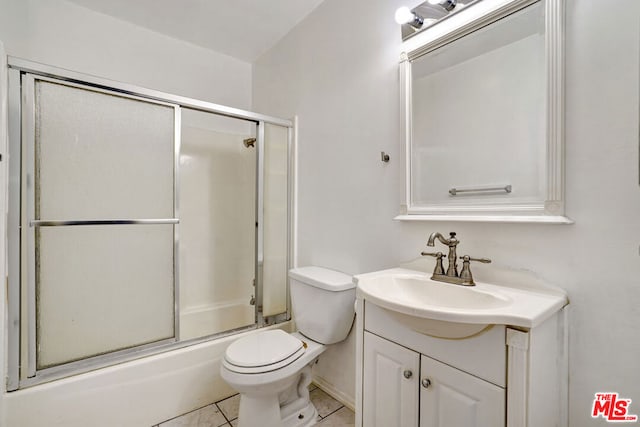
[264,351]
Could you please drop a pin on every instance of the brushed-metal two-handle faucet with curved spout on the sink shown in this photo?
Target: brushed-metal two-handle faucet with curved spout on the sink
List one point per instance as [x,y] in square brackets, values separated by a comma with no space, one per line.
[451,276]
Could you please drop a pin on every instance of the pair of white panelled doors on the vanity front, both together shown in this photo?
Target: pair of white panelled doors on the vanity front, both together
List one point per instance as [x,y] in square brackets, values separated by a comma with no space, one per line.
[404,388]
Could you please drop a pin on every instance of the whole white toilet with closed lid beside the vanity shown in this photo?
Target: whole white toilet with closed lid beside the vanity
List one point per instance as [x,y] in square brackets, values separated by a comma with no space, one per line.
[272,369]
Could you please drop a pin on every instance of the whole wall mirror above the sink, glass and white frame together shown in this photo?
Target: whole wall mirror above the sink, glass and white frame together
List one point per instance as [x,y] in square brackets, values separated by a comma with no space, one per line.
[482,115]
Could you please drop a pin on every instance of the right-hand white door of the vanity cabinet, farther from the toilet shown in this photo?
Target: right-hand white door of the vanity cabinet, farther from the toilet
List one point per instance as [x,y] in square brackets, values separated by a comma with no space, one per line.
[454,398]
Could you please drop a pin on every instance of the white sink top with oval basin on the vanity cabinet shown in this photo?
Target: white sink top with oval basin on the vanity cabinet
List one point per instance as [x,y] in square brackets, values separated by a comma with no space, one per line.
[453,311]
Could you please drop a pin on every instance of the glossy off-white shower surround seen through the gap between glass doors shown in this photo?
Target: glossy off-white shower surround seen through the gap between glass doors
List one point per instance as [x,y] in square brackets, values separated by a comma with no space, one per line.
[217,250]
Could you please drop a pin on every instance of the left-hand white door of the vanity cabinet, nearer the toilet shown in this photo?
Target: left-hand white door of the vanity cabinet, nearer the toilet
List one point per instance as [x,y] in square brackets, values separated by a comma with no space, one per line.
[390,389]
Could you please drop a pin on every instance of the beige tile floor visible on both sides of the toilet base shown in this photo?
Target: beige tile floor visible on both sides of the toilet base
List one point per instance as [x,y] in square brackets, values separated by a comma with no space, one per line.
[331,413]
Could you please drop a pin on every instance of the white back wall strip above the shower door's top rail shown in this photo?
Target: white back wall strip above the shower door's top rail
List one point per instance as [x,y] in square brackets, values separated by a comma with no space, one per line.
[63,34]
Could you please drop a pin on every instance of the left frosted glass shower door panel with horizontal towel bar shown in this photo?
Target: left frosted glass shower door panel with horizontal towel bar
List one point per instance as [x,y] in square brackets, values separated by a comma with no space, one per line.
[99,179]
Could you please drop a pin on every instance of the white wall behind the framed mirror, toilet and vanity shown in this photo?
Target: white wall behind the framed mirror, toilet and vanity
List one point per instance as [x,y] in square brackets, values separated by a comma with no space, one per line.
[338,72]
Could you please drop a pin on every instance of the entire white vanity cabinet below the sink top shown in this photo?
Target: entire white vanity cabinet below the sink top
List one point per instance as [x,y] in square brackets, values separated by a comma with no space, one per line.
[500,377]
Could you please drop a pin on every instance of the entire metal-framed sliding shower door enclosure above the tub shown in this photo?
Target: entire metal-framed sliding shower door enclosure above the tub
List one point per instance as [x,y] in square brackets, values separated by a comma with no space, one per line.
[139,222]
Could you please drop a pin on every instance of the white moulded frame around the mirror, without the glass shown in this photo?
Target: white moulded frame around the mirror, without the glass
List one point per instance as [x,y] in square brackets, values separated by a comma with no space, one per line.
[481,14]
